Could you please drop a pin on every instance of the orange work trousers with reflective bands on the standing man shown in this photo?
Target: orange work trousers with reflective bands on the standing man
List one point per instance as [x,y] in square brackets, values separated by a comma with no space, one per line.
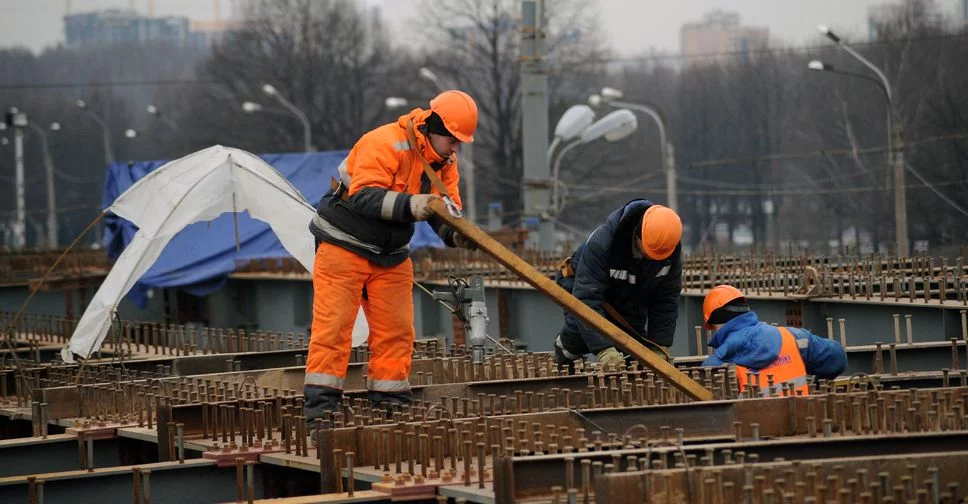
[338,280]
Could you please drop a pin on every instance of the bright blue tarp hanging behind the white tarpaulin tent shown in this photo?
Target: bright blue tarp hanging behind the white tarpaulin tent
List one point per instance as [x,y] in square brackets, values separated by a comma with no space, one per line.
[200,257]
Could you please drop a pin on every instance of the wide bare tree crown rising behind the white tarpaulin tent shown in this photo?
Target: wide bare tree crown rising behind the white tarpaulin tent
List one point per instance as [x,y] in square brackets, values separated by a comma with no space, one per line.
[328,57]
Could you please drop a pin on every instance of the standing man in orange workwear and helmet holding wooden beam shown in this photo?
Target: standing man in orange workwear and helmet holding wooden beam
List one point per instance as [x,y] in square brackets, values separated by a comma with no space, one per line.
[363,227]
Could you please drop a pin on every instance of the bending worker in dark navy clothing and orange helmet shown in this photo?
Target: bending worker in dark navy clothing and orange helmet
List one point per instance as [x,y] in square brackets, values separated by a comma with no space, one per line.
[630,271]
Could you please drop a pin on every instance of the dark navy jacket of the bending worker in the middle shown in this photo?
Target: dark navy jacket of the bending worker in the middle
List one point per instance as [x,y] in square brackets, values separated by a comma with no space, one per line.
[610,267]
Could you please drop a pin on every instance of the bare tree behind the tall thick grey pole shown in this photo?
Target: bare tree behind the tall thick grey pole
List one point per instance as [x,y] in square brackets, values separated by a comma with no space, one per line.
[476,47]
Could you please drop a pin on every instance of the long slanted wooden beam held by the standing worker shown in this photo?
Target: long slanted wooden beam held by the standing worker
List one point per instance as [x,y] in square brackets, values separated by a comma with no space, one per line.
[560,296]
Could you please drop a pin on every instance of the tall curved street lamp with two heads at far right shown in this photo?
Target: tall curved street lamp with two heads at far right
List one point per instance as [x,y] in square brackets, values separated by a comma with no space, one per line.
[894,136]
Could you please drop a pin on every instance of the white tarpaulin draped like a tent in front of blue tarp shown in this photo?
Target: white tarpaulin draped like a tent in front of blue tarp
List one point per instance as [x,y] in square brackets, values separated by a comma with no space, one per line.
[197,187]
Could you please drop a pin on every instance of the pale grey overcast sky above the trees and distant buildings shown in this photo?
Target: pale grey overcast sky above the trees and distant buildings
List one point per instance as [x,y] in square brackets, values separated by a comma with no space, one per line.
[633,26]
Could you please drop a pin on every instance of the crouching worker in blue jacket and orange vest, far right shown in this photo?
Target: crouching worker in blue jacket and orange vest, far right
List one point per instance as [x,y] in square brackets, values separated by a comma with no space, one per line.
[762,351]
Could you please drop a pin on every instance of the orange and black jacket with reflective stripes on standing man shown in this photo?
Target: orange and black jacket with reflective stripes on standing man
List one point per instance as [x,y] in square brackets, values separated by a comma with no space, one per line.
[379,175]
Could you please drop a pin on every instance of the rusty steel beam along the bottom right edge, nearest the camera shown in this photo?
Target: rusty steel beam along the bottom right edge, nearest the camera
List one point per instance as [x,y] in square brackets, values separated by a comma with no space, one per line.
[920,478]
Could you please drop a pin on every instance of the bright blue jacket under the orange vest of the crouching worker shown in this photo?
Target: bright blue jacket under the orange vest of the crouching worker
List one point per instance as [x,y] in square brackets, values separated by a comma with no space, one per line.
[746,341]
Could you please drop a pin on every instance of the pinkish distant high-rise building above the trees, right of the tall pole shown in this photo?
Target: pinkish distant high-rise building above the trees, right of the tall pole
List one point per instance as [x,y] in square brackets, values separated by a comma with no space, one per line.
[720,33]
